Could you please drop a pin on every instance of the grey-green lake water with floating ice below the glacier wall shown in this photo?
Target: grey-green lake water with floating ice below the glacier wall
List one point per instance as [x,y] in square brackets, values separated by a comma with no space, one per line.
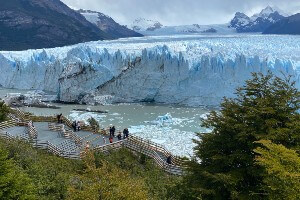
[171,126]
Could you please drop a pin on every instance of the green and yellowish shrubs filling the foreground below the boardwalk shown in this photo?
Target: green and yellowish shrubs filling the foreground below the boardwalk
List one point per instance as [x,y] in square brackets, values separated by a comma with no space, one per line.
[58,178]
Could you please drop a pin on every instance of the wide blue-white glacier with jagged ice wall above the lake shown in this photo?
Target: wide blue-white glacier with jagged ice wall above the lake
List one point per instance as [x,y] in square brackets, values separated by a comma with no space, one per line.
[191,70]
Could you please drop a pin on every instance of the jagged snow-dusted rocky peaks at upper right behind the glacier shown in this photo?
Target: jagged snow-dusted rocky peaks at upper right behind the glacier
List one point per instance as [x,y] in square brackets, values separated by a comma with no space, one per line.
[258,22]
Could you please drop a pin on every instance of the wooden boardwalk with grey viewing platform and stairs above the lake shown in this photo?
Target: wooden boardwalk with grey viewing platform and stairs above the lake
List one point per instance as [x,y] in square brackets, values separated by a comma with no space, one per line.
[59,139]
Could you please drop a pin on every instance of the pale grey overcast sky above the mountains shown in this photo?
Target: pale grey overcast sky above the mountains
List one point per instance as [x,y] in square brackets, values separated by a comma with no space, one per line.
[180,12]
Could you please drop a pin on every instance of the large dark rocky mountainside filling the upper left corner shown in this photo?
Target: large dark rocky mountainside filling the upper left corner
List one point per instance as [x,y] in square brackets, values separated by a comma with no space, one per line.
[32,24]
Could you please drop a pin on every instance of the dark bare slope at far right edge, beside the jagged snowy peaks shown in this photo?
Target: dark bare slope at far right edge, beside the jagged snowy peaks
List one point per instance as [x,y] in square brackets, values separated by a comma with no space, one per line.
[289,25]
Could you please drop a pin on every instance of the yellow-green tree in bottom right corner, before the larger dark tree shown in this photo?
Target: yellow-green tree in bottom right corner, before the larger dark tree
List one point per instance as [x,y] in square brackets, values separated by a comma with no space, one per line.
[281,171]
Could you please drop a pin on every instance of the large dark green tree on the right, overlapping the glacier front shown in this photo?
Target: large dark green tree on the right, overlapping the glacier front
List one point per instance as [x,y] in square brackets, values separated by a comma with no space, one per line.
[224,164]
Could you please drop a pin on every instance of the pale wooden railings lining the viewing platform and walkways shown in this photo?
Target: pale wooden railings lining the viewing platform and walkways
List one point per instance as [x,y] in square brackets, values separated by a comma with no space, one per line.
[135,143]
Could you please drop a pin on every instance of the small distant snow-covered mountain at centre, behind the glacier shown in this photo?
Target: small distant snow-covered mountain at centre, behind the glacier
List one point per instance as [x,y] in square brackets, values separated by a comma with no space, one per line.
[142,24]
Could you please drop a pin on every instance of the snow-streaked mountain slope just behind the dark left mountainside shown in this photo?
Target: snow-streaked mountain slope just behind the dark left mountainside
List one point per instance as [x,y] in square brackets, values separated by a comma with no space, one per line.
[108,25]
